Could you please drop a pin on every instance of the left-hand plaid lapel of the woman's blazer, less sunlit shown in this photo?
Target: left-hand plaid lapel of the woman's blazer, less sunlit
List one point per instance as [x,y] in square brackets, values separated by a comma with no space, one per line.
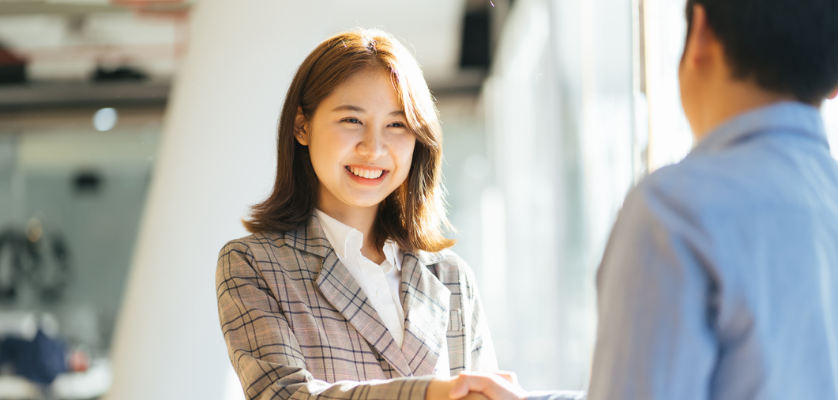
[343,292]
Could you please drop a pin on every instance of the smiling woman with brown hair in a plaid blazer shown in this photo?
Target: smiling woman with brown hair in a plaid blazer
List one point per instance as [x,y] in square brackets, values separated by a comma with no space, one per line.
[345,283]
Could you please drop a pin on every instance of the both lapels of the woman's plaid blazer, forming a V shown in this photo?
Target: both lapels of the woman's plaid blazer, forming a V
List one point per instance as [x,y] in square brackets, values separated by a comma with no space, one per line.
[425,300]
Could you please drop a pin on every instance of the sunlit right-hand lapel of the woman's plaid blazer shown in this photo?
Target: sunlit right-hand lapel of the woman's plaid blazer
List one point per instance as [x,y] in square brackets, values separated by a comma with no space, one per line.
[426,304]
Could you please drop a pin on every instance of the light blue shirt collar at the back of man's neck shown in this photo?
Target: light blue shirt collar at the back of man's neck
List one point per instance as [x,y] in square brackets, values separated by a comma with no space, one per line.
[788,116]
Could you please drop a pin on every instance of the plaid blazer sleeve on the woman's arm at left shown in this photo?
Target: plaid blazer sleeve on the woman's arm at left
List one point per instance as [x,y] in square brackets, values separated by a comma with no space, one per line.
[264,351]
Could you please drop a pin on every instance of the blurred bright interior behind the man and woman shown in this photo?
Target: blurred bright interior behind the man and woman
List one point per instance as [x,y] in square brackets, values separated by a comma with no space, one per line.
[134,134]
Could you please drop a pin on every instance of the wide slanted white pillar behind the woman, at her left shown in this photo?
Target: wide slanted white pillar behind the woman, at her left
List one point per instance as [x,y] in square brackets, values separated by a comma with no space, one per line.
[216,157]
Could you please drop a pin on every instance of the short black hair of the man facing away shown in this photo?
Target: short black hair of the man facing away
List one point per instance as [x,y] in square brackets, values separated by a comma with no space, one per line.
[785,46]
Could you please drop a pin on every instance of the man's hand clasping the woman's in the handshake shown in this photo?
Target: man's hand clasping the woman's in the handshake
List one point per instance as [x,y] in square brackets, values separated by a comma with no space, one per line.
[501,386]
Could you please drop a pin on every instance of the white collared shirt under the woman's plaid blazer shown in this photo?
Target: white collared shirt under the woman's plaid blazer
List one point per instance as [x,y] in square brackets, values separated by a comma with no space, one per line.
[381,283]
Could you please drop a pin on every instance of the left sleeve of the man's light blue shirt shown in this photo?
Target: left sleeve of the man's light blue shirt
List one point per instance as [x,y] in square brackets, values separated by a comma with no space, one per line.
[655,338]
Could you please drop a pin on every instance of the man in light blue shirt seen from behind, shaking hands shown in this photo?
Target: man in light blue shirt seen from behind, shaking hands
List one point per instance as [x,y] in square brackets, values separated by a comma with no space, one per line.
[720,280]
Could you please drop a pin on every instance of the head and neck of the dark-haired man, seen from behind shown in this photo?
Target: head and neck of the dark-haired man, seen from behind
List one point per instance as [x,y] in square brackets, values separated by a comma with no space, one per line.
[743,54]
